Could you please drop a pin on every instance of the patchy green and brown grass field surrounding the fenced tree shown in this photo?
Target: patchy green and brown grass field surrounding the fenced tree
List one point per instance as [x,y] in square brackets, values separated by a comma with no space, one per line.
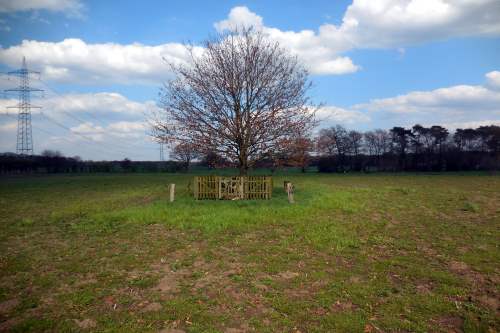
[356,253]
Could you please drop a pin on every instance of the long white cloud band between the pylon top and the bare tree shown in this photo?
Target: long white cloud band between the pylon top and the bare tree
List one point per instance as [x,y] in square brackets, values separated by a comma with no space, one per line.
[73,60]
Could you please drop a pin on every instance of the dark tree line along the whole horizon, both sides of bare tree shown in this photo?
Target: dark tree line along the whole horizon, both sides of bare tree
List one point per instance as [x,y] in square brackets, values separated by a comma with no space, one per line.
[334,149]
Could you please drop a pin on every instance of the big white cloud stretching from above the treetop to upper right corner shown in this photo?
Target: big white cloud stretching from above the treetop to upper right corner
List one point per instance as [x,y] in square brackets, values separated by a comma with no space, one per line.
[377,24]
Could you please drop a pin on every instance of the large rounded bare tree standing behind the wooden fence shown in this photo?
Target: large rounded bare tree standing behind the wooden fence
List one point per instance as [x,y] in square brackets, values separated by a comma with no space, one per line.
[240,98]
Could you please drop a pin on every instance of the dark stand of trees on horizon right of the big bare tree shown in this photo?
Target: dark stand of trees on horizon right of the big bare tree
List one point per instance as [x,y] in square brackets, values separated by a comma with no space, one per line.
[418,148]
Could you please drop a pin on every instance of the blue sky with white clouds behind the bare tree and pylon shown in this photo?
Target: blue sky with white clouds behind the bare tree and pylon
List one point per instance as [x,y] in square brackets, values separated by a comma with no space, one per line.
[373,63]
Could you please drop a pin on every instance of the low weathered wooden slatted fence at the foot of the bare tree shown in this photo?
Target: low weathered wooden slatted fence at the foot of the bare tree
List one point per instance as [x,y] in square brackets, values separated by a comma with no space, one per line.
[232,188]
